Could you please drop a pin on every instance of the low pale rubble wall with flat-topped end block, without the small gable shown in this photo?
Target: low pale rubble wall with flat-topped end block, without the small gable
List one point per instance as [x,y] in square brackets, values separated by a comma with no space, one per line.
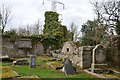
[82,56]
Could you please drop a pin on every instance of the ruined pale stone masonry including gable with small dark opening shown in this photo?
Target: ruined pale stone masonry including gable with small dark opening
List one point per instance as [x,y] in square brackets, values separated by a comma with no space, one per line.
[81,56]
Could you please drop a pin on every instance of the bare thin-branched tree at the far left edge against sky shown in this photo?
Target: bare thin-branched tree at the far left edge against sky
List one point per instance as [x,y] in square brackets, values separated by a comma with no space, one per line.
[5,16]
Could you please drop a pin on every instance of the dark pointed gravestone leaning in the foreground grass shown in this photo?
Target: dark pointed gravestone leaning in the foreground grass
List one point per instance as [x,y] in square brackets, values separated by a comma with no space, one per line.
[68,68]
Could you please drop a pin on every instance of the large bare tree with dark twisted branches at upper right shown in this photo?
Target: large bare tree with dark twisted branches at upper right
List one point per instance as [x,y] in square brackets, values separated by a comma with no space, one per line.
[107,13]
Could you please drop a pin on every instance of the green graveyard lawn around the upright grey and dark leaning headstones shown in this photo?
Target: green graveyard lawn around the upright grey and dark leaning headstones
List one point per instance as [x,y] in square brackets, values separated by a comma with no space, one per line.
[42,70]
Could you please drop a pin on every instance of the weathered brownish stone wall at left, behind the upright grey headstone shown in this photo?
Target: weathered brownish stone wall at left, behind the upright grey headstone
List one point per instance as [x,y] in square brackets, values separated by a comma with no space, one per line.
[13,49]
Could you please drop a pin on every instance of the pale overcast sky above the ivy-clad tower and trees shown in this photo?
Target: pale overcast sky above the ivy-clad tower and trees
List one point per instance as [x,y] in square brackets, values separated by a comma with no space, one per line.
[29,11]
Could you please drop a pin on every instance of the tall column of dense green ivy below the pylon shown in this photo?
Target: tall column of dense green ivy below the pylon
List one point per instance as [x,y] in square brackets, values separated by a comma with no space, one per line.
[53,33]
